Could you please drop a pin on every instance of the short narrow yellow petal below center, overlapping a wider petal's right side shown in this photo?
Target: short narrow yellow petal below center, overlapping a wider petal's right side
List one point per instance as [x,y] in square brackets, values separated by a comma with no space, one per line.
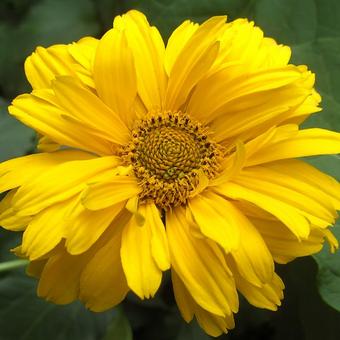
[159,241]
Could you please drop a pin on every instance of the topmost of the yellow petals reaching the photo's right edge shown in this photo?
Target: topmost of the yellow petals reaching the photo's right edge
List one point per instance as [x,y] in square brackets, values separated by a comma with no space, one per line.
[306,142]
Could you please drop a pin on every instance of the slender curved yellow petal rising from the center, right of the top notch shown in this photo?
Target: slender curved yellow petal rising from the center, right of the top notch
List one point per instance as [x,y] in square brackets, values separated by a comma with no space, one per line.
[193,61]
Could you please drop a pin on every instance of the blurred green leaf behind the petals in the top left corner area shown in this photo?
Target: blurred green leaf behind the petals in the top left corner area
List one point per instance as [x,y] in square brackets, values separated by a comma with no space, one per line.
[46,22]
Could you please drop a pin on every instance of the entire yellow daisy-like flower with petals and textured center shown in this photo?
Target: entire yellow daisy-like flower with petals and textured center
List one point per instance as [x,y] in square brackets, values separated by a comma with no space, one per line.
[181,157]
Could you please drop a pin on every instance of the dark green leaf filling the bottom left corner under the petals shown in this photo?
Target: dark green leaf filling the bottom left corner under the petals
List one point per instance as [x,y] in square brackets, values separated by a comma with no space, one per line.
[23,316]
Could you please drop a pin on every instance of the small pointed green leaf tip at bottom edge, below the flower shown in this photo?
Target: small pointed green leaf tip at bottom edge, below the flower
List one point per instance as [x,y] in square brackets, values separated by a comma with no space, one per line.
[119,328]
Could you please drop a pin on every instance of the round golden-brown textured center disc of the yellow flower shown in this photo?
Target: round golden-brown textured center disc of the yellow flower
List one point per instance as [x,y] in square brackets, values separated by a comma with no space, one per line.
[170,154]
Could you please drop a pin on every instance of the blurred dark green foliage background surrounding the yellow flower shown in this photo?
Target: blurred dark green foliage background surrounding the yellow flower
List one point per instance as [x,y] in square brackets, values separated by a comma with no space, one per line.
[311,307]
